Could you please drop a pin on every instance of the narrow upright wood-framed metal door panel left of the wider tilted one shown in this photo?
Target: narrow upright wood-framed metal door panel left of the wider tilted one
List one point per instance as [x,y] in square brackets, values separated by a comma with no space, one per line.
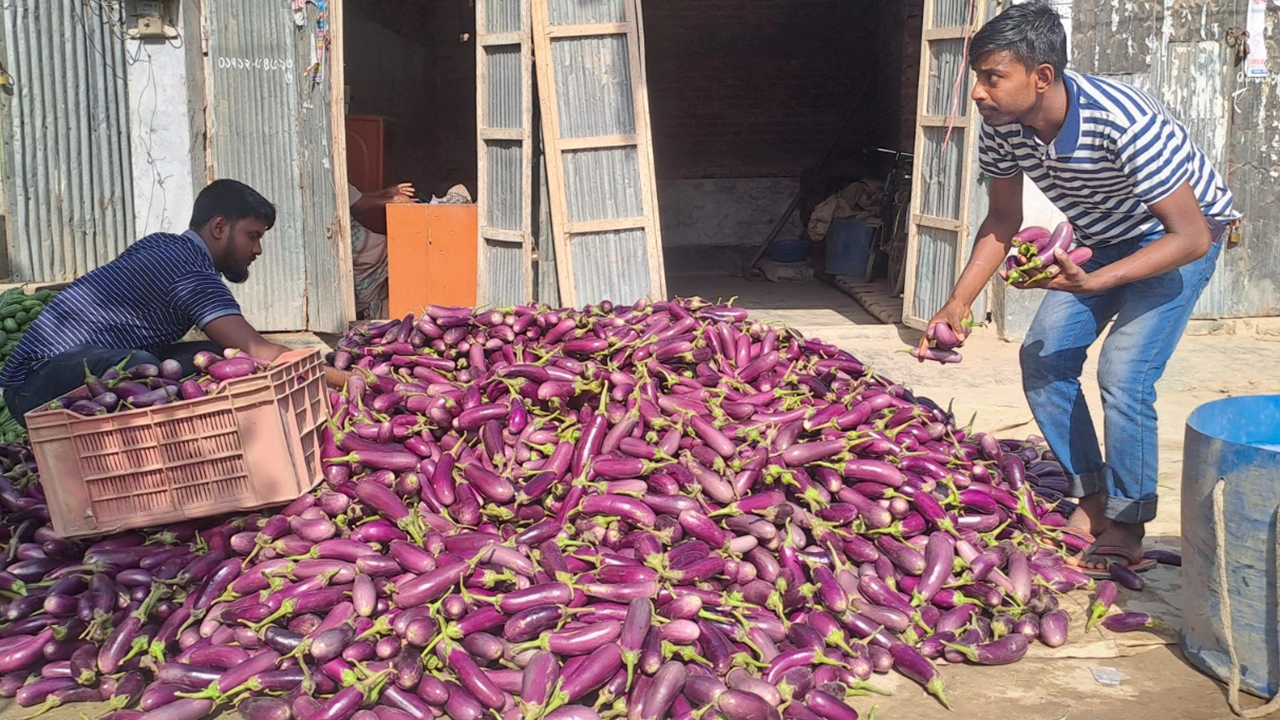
[505,156]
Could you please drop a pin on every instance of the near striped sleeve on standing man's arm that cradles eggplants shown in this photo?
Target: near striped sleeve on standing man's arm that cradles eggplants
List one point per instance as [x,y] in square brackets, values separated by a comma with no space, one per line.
[1155,160]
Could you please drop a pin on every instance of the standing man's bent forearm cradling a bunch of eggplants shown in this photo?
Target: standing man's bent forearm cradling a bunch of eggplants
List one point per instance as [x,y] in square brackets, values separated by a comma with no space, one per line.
[1187,239]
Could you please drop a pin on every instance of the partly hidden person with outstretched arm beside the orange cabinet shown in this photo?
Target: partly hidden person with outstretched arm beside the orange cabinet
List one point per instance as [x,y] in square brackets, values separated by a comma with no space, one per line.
[369,245]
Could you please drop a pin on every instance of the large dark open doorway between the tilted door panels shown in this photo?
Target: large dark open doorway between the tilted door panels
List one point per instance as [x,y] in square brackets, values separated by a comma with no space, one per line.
[767,108]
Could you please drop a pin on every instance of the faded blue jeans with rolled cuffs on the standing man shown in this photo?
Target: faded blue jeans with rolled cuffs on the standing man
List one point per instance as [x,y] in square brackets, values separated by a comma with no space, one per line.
[1150,317]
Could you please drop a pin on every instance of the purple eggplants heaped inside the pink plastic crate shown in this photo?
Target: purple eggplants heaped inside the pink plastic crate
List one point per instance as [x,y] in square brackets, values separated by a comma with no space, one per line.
[150,386]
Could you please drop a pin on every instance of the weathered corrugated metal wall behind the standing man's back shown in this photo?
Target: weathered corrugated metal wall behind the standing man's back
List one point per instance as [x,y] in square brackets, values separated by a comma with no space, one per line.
[1177,51]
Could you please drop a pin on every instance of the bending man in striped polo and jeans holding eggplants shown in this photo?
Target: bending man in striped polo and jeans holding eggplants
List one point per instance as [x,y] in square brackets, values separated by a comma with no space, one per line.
[1154,211]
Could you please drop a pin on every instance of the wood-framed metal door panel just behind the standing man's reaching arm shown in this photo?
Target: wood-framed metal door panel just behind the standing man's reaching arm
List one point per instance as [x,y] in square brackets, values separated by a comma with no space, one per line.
[945,161]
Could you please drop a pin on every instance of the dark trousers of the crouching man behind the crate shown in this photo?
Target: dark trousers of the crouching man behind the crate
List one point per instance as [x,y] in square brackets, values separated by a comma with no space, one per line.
[66,372]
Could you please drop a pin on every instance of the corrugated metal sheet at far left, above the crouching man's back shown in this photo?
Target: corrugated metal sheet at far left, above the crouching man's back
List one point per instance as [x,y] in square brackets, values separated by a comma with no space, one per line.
[68,184]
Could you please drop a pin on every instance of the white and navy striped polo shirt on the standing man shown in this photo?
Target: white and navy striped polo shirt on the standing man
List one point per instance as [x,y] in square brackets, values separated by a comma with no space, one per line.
[1118,153]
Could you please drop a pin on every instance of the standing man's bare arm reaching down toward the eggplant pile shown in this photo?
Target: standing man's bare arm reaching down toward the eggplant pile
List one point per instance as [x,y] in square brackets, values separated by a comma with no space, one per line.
[995,236]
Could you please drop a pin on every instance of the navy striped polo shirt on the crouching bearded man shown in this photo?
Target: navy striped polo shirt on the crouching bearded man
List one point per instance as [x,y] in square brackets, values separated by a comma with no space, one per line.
[149,298]
